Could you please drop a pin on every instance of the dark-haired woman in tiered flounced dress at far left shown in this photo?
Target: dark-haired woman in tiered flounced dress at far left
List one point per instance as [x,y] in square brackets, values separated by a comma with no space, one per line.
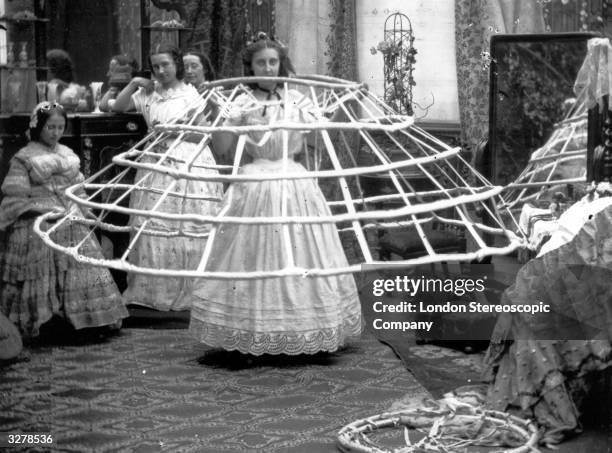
[37,282]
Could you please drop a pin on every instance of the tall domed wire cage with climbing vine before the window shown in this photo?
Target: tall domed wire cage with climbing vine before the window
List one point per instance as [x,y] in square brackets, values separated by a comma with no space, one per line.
[399,58]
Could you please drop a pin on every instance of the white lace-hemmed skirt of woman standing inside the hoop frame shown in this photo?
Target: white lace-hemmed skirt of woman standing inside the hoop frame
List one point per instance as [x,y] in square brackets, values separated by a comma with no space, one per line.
[281,315]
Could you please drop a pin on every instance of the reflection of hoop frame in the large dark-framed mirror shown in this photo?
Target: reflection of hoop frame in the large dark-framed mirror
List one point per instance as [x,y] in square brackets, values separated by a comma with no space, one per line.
[538,128]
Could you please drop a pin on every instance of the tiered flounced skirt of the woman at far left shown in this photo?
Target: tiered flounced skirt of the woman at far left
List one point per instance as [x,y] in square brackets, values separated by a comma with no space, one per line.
[39,282]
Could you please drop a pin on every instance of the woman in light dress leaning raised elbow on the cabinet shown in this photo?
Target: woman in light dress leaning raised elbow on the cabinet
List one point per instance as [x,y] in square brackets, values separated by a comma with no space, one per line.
[160,103]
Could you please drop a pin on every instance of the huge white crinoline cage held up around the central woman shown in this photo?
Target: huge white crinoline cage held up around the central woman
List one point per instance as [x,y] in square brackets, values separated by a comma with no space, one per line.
[447,200]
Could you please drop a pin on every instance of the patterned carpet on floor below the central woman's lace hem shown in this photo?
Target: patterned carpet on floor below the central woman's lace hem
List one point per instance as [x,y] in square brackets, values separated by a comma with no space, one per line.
[157,390]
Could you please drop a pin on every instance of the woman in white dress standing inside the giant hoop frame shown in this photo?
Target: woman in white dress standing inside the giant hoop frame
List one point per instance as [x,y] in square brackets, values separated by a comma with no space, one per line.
[281,315]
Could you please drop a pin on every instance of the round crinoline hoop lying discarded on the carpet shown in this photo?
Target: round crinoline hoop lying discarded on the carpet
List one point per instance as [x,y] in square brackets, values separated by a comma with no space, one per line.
[444,431]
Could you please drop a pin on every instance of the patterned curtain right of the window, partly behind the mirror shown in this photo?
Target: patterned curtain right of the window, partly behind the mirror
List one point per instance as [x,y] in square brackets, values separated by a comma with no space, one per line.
[475,22]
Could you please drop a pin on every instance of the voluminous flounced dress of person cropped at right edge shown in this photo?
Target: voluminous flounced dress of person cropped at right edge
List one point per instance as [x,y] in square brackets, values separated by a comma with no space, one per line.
[541,364]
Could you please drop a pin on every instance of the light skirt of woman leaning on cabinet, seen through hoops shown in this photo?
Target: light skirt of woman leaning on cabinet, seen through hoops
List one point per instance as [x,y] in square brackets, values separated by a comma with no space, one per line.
[157,252]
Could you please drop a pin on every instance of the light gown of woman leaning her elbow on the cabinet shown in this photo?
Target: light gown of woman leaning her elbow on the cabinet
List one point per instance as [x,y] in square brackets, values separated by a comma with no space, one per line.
[163,106]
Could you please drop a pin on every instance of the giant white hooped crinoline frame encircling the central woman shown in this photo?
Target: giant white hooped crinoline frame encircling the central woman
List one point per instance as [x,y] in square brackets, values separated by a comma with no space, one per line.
[357,218]
